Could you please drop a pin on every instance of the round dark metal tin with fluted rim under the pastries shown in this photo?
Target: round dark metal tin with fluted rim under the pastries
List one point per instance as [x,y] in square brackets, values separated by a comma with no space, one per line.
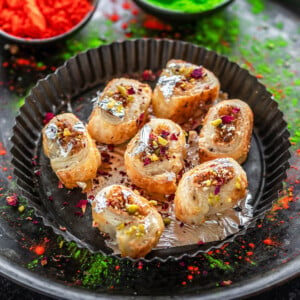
[73,86]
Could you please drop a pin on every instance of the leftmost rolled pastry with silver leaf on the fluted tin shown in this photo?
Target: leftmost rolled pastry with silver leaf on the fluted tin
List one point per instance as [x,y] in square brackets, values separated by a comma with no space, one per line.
[72,152]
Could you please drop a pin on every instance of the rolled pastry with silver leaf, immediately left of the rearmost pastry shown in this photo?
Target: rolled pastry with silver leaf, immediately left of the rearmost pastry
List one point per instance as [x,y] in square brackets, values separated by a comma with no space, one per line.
[120,111]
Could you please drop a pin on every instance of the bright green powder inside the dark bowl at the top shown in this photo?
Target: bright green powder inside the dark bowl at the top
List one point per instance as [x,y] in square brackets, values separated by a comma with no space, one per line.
[189,6]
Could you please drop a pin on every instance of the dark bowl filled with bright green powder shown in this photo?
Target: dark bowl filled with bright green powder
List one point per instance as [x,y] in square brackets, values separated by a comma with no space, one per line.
[181,10]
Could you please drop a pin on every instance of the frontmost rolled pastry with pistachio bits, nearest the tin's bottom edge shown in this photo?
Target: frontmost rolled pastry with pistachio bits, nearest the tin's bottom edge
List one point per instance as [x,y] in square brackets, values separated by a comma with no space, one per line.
[129,217]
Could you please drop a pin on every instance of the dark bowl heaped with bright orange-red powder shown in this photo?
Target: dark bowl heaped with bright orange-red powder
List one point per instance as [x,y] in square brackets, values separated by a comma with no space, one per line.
[43,21]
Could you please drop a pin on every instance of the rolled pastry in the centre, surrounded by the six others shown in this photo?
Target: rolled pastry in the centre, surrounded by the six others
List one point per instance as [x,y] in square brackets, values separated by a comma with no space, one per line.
[155,156]
